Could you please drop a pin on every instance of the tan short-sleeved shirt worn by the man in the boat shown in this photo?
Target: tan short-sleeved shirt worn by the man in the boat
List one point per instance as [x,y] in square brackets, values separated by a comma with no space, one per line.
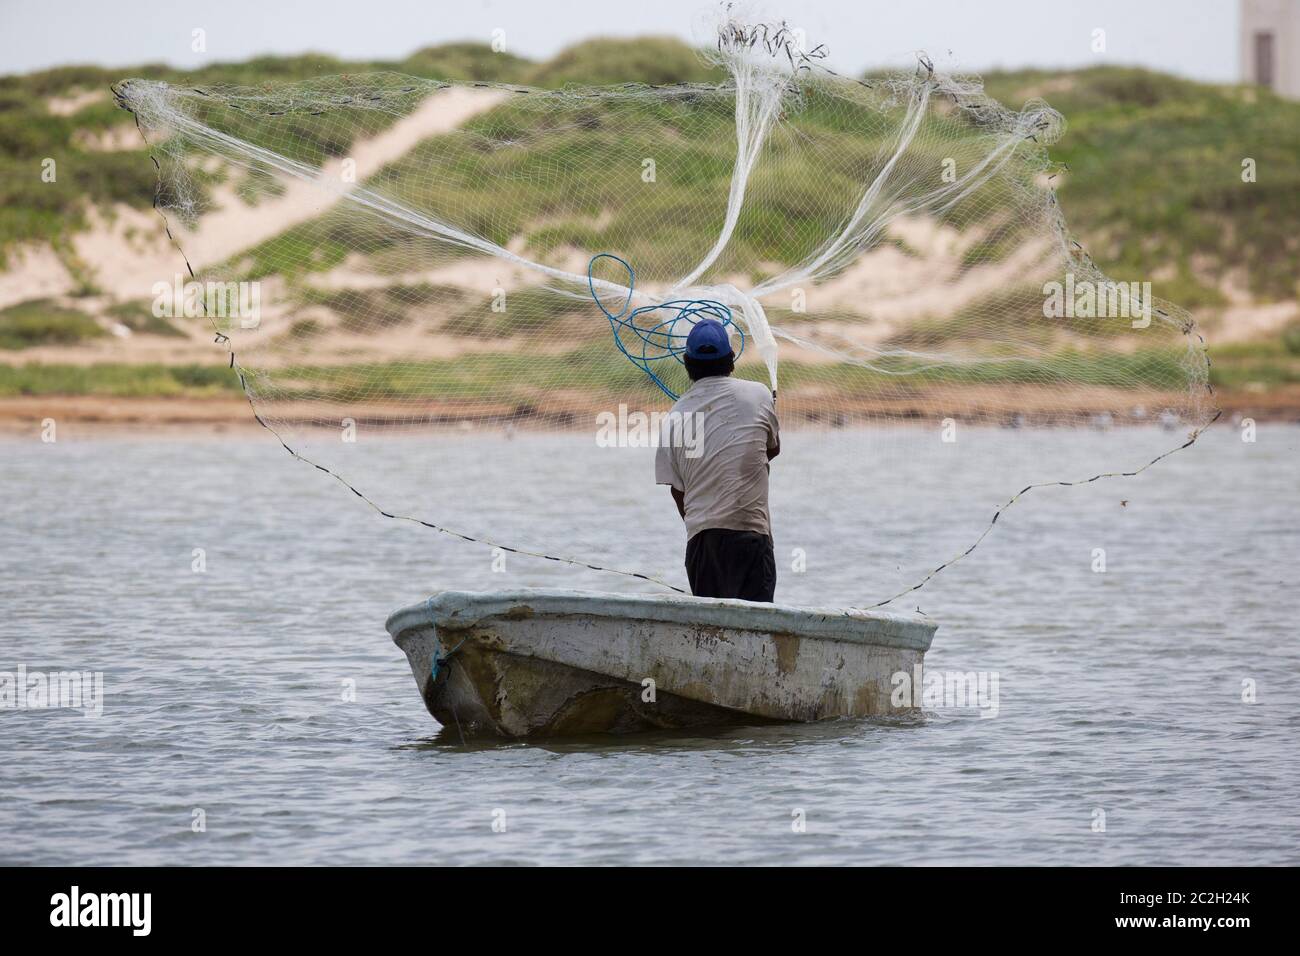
[713,447]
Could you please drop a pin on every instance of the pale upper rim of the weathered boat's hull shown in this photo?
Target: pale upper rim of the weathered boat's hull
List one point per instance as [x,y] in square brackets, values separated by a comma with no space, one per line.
[458,611]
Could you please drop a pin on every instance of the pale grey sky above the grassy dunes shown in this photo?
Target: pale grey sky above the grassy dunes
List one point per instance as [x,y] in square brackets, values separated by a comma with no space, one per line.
[1193,38]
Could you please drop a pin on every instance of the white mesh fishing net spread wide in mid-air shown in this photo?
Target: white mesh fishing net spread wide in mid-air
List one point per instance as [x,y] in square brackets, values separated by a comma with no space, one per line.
[424,259]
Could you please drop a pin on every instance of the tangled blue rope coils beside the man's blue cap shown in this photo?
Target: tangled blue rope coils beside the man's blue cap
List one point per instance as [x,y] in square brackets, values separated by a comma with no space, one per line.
[660,340]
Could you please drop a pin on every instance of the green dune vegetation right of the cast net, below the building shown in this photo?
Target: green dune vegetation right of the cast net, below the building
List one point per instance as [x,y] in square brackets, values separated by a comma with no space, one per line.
[1156,167]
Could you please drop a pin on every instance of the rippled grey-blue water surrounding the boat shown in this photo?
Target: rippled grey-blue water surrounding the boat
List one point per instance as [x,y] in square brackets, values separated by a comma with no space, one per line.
[257,712]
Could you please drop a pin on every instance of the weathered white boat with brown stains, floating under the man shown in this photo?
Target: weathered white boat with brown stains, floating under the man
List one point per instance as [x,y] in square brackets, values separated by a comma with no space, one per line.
[547,663]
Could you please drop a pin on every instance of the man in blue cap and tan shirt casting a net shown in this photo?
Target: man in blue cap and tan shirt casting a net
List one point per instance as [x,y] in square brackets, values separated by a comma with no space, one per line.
[720,479]
